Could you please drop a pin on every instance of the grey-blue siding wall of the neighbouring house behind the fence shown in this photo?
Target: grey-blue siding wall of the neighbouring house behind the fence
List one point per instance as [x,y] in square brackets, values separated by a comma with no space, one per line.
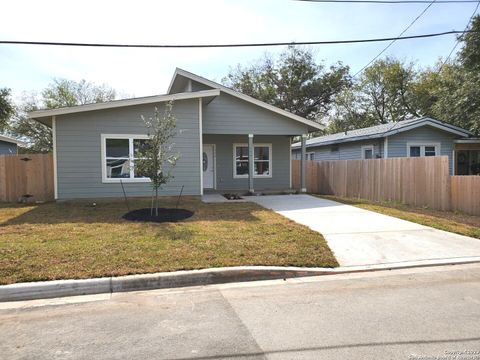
[346,151]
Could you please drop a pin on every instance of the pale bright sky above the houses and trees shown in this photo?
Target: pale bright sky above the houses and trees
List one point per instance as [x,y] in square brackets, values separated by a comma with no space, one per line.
[142,72]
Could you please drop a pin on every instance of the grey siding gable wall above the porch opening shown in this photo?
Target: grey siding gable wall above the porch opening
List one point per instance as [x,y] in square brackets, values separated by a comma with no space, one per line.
[229,115]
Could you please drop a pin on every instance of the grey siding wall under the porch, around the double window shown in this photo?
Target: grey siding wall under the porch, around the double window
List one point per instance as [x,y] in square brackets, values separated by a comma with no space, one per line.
[280,179]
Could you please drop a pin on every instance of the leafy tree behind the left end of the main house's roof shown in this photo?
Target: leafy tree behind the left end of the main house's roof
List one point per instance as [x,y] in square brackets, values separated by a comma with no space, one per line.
[60,93]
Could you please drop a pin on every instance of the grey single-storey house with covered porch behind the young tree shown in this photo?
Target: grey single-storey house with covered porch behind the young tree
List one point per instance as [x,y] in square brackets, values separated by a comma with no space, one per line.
[227,141]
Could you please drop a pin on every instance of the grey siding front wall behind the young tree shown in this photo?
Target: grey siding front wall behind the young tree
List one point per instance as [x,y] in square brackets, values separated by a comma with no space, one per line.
[79,163]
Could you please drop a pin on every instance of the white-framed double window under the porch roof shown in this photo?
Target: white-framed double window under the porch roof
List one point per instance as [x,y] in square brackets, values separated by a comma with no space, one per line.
[262,160]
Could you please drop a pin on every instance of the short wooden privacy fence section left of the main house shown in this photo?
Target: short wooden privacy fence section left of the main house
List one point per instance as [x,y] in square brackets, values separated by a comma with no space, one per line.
[28,176]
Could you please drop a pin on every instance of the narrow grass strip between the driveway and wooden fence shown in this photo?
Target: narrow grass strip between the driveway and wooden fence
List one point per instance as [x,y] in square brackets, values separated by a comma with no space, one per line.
[458,223]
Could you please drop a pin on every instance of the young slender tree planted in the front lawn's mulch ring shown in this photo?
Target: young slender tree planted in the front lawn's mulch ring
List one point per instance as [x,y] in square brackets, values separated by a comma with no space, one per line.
[156,159]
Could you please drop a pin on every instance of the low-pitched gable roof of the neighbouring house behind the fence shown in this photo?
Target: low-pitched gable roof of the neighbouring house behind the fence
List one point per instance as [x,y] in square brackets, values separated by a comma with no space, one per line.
[383,130]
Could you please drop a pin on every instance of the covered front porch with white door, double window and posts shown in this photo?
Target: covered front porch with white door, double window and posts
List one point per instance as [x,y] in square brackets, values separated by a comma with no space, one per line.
[246,163]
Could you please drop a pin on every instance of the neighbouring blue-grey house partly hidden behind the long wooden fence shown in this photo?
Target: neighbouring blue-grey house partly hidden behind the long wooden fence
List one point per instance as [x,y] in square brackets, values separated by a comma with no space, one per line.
[409,138]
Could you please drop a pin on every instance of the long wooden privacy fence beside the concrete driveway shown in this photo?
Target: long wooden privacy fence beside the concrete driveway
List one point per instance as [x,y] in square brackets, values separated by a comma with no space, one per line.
[423,181]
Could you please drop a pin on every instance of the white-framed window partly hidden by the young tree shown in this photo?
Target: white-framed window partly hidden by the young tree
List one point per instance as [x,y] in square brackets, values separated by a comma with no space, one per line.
[118,158]
